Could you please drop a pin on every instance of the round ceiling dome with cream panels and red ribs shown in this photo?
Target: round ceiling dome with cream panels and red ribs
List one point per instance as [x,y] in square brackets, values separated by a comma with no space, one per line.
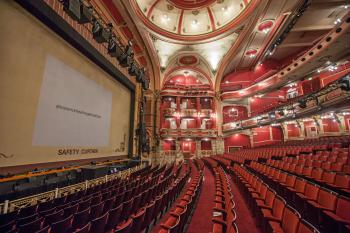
[192,19]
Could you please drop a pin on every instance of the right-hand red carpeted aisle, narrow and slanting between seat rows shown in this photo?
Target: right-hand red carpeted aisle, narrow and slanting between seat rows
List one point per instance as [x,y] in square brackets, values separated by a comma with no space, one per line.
[245,221]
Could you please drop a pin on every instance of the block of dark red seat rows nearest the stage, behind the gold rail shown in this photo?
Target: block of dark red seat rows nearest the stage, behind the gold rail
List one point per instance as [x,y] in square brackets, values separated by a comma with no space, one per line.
[104,208]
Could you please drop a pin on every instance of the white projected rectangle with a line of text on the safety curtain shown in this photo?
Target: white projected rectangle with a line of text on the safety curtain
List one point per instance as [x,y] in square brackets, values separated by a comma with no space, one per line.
[72,110]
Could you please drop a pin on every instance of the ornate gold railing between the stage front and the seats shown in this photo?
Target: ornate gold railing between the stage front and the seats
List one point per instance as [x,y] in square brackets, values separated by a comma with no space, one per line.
[9,206]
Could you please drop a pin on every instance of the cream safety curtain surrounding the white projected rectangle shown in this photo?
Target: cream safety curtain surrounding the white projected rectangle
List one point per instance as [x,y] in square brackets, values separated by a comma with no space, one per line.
[24,46]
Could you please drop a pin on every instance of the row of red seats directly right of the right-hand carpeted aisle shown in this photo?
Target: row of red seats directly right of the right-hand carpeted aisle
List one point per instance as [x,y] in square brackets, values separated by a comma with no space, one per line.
[272,212]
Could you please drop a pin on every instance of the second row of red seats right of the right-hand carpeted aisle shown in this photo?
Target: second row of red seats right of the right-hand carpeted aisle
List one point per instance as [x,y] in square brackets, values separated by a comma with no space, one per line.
[322,207]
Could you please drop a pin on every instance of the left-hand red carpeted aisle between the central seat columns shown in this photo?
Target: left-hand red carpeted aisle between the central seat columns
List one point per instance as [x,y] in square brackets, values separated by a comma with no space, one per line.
[201,219]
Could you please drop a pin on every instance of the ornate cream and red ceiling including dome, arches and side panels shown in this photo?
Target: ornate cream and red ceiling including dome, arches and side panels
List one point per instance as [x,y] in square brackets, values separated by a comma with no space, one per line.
[209,39]
